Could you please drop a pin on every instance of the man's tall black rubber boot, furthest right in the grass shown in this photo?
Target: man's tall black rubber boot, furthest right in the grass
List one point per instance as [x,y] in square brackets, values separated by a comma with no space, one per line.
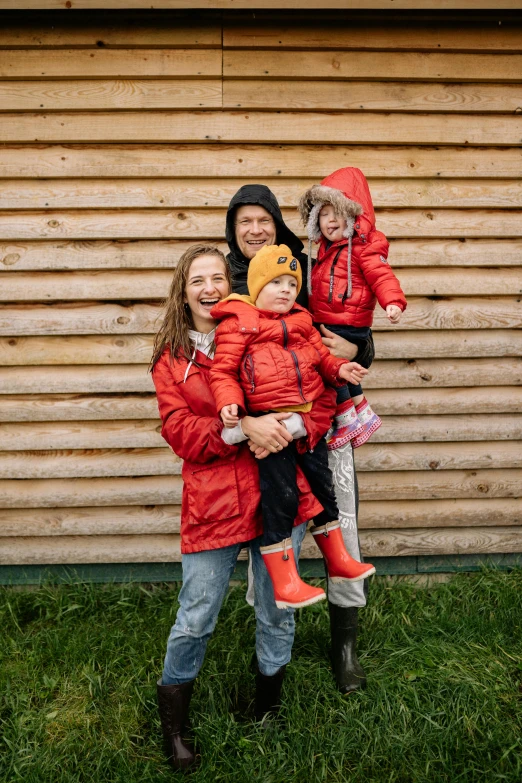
[349,674]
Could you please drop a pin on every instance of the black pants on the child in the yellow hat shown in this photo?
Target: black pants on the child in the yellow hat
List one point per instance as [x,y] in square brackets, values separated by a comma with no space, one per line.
[279,493]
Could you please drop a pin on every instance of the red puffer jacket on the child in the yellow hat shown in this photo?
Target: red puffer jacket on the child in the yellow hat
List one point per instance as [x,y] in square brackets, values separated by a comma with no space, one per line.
[267,360]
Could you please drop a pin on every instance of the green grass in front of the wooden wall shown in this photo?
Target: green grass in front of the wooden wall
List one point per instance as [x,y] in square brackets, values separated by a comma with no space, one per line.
[443,703]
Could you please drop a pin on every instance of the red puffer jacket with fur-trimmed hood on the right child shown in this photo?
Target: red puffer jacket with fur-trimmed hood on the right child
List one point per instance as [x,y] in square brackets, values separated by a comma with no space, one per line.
[371,277]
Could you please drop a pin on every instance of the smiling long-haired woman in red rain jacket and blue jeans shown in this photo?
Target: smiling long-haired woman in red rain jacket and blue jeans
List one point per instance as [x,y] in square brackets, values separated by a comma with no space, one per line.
[220,510]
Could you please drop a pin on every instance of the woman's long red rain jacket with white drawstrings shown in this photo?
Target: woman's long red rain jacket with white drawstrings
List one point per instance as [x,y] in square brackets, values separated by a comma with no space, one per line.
[220,504]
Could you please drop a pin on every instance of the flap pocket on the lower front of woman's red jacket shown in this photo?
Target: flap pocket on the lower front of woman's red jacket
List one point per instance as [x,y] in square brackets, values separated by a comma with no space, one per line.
[211,493]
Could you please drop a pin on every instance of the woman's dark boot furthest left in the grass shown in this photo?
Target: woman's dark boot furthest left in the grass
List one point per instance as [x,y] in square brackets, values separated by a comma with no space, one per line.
[173,704]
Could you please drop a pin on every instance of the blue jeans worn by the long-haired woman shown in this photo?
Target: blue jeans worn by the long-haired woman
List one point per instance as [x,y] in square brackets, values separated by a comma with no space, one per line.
[206,576]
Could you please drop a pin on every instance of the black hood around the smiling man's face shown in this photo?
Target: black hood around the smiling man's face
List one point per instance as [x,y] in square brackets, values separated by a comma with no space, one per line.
[257,194]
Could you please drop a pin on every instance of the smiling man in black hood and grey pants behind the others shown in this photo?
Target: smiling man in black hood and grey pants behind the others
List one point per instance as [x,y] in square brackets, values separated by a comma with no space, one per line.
[253,220]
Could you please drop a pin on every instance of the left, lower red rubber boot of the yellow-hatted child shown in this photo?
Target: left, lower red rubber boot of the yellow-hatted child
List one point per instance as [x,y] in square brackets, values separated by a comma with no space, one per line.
[289,589]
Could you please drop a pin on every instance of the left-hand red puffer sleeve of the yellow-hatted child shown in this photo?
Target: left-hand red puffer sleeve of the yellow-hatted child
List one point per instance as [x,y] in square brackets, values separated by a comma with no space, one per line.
[224,374]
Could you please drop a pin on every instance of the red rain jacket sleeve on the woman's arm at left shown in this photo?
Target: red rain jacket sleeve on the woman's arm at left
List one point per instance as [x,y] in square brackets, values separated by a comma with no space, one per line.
[192,437]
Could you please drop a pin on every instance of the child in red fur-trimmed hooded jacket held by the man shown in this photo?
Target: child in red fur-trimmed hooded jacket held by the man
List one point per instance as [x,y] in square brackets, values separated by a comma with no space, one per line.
[350,275]
